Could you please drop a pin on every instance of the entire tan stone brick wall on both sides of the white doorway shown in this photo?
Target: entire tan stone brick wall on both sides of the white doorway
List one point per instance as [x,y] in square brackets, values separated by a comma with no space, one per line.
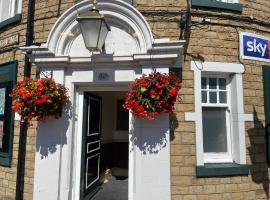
[216,41]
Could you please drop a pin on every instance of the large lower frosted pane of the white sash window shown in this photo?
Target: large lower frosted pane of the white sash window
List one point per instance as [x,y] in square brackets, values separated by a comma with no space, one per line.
[214,130]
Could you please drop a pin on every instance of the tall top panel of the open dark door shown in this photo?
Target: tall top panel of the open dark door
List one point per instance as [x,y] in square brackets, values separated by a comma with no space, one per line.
[94,125]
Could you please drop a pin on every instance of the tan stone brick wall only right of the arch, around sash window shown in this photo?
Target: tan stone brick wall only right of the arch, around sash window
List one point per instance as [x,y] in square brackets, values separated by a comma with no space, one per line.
[217,41]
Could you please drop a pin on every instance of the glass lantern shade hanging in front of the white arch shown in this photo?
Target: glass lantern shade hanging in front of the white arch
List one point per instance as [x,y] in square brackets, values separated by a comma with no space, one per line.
[94,31]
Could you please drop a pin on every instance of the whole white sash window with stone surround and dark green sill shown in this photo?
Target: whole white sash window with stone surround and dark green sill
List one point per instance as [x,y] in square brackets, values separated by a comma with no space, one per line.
[219,118]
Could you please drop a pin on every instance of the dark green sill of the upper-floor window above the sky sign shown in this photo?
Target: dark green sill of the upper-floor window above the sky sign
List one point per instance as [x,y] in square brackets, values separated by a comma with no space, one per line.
[237,7]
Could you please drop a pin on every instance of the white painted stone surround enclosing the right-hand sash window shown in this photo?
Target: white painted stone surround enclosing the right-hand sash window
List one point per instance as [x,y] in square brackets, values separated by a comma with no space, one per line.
[238,118]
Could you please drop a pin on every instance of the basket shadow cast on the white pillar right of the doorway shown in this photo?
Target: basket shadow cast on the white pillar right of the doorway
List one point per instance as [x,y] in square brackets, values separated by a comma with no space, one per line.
[153,137]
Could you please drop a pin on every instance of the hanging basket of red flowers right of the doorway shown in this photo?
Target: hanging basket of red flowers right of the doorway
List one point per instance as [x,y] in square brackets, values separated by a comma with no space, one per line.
[153,94]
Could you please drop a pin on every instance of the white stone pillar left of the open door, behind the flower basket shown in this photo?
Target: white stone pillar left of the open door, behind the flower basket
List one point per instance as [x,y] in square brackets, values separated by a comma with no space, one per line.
[51,169]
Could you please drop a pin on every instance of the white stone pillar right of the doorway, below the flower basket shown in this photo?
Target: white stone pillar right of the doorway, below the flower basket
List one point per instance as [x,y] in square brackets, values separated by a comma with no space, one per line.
[149,176]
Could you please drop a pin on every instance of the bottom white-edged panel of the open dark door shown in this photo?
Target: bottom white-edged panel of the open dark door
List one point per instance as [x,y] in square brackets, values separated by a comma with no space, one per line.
[92,170]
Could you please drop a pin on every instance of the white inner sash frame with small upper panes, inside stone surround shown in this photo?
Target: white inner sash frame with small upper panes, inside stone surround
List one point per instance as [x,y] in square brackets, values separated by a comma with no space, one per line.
[220,157]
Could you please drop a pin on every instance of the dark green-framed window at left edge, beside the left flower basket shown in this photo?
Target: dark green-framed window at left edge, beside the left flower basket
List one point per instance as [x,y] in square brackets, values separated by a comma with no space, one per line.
[7,80]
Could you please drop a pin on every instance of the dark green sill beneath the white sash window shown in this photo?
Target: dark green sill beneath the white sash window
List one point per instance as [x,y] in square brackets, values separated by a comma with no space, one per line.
[222,169]
